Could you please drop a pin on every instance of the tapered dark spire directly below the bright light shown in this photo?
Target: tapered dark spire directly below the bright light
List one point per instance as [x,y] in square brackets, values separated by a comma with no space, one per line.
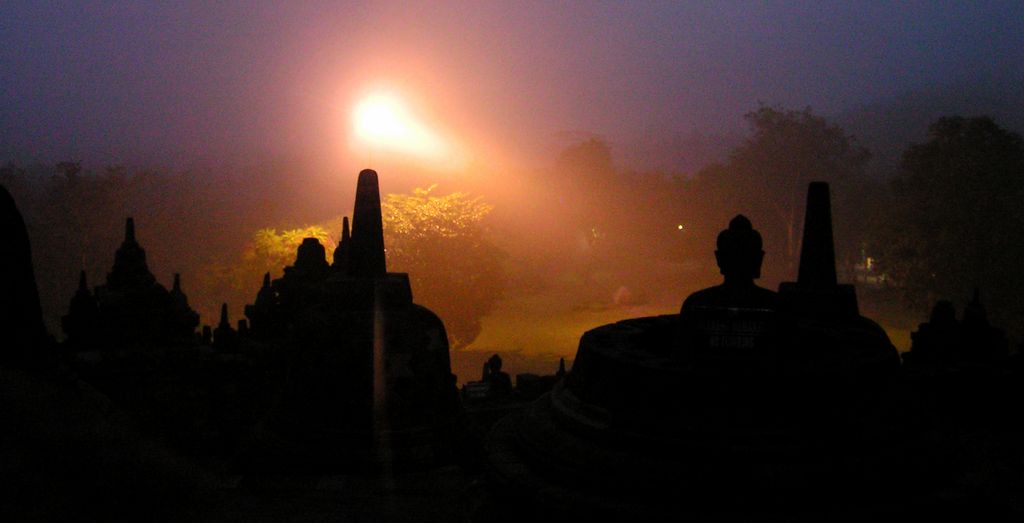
[367,253]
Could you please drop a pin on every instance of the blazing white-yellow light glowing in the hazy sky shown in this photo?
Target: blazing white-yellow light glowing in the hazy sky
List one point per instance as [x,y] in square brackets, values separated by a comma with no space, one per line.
[383,123]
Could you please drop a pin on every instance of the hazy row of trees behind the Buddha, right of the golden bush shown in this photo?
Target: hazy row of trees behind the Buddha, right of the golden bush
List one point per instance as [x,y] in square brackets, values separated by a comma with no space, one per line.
[949,221]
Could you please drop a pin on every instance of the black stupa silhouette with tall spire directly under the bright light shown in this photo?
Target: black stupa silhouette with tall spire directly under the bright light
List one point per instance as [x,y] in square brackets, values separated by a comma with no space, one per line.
[370,382]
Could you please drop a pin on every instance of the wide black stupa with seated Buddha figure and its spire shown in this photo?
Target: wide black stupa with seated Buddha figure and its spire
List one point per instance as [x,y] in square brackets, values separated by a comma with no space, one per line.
[748,404]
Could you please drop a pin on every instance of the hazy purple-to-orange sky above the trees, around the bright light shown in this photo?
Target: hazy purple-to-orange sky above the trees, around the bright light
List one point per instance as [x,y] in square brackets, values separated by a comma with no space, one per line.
[174,83]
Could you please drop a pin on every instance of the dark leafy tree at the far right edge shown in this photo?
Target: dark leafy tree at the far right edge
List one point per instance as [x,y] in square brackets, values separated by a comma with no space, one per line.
[958,223]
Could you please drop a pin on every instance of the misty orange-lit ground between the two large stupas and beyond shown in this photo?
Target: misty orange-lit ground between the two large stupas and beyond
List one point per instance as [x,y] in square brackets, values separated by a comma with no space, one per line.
[538,323]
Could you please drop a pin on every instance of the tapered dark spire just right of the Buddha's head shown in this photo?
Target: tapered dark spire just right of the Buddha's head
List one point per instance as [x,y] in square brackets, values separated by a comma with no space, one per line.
[818,254]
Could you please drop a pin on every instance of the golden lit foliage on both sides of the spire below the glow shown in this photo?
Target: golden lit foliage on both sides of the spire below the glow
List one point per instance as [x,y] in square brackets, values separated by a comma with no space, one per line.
[440,241]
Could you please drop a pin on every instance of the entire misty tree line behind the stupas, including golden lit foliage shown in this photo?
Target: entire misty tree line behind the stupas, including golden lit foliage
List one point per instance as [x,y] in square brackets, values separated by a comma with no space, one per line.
[948,222]
